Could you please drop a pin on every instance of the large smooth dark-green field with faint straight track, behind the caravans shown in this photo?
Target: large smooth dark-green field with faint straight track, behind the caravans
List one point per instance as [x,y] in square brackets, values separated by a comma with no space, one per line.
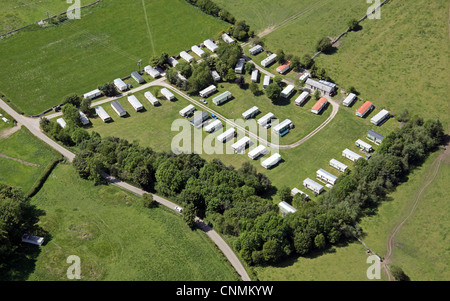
[41,66]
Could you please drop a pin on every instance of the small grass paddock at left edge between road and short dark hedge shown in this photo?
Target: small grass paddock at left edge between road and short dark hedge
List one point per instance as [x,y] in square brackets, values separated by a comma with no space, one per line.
[24,146]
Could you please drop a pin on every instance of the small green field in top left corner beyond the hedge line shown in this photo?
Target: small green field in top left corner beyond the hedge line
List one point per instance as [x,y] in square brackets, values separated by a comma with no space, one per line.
[20,13]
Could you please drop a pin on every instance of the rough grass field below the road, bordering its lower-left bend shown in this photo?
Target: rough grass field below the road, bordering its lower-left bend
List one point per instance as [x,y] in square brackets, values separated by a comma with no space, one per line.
[116,238]
